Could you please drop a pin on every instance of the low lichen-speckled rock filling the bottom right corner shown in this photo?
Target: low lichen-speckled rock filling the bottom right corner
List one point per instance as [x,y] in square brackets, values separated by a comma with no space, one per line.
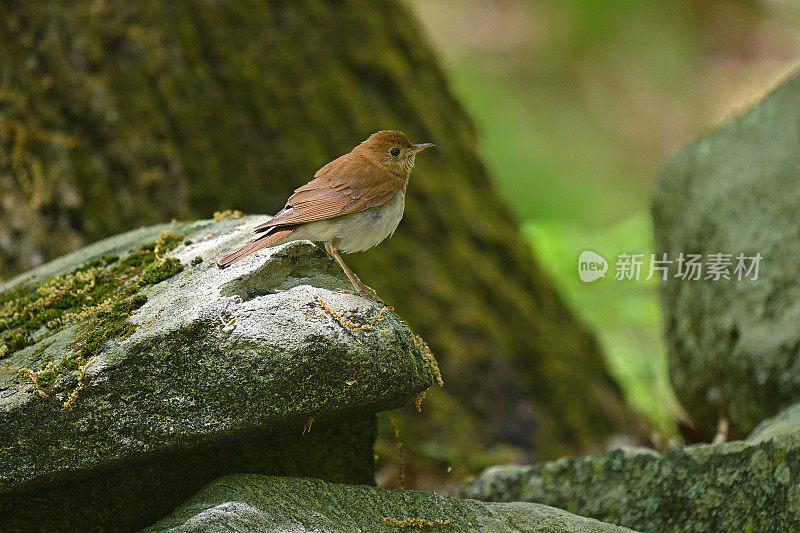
[737,486]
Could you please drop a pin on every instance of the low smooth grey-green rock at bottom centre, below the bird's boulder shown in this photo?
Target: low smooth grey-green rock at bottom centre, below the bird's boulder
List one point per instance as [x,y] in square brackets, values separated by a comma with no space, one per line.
[261,503]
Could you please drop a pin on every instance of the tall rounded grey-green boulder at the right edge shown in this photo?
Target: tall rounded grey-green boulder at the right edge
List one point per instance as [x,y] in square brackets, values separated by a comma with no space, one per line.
[733,345]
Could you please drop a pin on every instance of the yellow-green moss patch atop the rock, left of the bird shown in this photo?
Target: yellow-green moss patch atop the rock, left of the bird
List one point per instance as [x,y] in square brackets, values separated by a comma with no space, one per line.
[99,294]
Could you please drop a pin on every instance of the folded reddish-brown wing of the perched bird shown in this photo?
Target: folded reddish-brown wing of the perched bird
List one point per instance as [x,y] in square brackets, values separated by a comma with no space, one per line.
[345,185]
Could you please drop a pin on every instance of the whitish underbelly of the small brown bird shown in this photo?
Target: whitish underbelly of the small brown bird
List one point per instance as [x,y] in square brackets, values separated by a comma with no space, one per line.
[357,231]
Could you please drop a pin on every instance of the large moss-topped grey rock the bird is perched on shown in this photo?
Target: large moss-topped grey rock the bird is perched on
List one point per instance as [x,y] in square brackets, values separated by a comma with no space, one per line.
[120,408]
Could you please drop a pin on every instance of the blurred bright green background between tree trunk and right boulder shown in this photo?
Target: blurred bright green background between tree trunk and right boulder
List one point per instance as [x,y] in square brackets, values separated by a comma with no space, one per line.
[578,104]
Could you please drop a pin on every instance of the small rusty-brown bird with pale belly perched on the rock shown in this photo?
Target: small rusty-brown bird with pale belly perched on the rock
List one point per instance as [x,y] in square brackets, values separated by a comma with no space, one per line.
[352,204]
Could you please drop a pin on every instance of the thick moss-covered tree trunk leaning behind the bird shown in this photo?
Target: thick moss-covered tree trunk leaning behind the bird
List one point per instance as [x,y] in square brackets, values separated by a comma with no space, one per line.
[115,114]
